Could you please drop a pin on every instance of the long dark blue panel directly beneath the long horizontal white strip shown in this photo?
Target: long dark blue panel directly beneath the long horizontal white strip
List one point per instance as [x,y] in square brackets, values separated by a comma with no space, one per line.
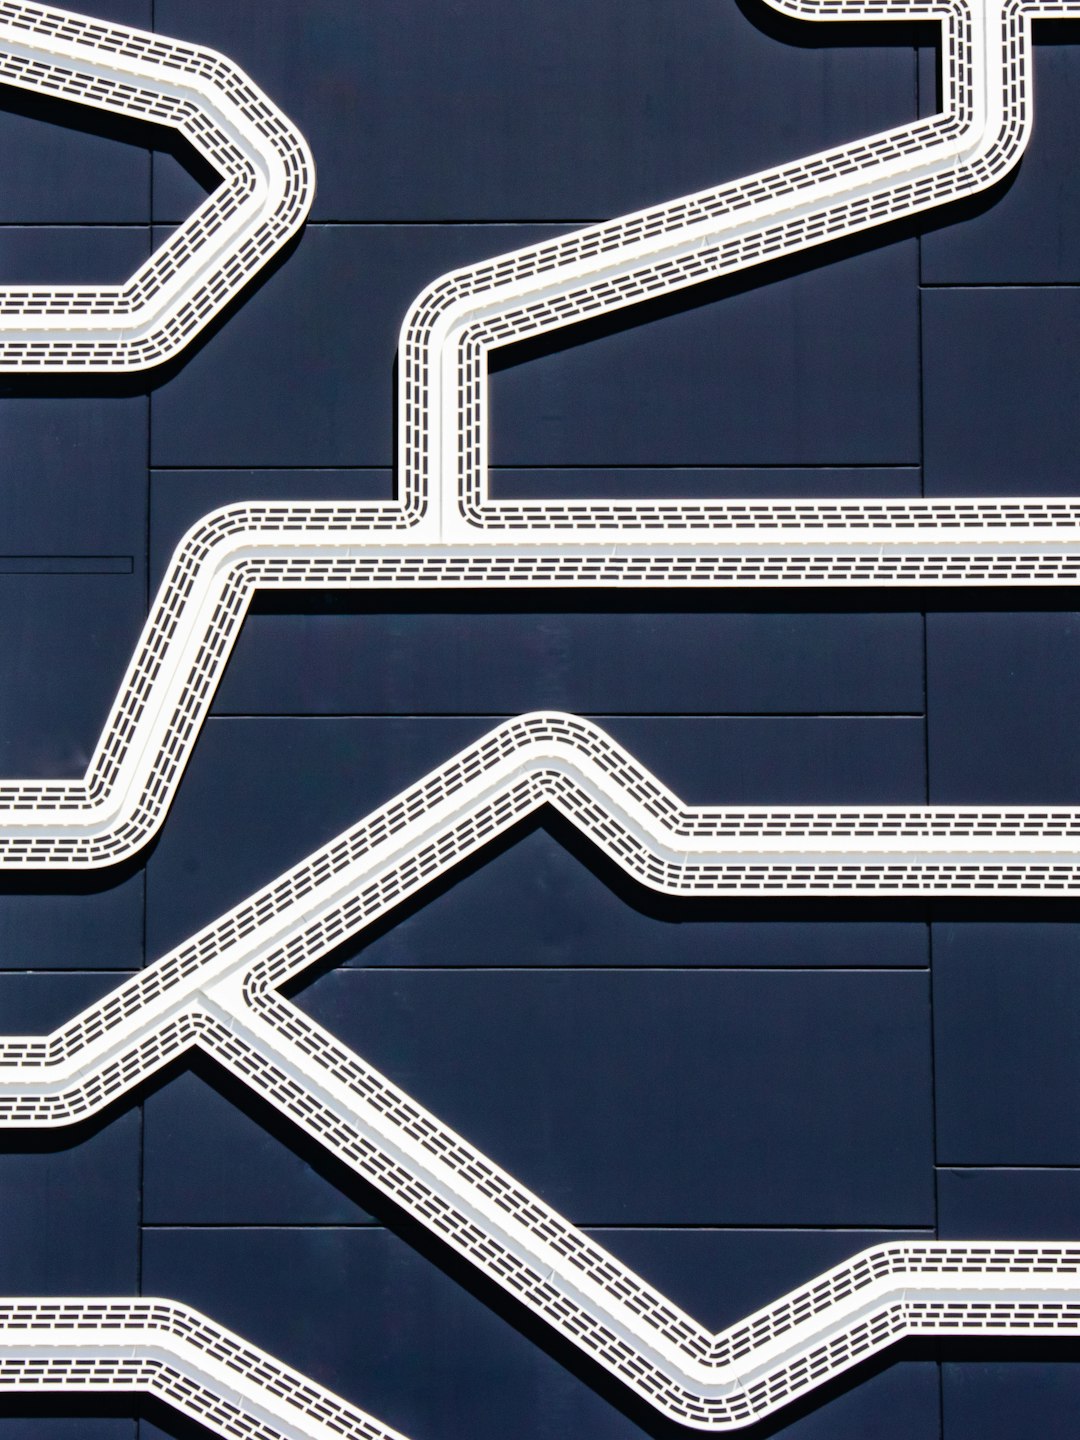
[482,654]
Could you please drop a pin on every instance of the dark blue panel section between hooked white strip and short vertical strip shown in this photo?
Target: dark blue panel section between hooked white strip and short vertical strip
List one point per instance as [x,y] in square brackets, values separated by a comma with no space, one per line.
[320,333]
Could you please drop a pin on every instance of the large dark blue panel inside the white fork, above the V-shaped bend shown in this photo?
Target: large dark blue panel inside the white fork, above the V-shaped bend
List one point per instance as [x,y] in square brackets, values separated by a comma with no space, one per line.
[673,1098]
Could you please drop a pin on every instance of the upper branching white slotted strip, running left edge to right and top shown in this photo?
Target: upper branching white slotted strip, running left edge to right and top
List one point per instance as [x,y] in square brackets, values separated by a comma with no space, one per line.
[443,532]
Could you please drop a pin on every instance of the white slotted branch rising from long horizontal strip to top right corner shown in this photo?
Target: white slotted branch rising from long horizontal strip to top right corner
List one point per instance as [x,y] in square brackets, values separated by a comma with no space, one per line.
[978,139]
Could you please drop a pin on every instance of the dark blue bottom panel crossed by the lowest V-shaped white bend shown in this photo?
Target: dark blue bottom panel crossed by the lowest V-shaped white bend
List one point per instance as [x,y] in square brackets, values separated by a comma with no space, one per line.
[381,1307]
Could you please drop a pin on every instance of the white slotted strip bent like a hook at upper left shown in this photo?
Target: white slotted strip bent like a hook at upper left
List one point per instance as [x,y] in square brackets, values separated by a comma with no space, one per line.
[269,184]
